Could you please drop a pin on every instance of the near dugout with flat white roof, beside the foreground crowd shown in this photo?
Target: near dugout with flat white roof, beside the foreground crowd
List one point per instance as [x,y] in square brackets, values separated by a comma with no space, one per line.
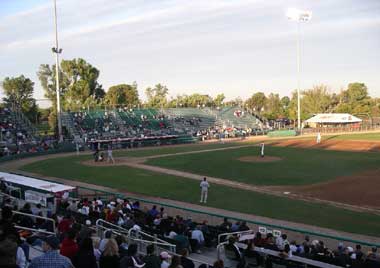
[36,191]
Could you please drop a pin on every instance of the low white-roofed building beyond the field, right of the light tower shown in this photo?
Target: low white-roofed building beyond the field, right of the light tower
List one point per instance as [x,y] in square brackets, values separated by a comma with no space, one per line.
[333,120]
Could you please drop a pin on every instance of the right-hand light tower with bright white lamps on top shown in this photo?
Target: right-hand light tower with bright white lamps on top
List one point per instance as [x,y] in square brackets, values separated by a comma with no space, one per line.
[298,16]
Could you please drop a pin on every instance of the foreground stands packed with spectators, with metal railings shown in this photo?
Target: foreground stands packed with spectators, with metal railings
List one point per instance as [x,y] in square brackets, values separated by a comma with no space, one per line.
[127,222]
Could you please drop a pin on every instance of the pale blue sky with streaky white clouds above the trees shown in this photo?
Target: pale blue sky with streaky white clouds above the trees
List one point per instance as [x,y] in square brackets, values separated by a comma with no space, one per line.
[235,47]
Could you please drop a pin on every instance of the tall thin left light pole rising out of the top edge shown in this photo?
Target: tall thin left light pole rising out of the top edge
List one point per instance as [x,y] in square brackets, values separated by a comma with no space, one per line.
[57,51]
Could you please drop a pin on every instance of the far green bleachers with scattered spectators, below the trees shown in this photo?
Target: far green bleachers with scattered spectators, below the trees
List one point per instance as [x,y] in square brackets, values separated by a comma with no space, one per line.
[153,122]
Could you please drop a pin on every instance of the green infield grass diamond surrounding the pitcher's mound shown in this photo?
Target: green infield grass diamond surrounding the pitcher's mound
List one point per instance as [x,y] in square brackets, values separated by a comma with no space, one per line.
[298,167]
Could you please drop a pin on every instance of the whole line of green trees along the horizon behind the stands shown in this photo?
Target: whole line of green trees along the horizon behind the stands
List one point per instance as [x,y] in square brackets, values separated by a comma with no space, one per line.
[80,89]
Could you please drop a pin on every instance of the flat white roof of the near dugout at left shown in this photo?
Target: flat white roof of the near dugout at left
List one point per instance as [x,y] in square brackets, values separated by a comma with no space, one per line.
[35,183]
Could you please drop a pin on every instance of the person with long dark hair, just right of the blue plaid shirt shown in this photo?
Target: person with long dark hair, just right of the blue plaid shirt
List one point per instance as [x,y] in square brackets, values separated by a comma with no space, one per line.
[85,257]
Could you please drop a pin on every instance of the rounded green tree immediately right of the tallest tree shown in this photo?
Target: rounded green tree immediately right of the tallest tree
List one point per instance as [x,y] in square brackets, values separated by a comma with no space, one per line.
[122,94]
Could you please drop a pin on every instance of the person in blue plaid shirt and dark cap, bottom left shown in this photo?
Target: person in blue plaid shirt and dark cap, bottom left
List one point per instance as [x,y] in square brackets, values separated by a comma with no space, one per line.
[51,258]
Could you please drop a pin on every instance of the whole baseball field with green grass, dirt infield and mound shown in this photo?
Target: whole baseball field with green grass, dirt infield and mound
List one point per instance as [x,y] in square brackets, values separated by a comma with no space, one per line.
[334,185]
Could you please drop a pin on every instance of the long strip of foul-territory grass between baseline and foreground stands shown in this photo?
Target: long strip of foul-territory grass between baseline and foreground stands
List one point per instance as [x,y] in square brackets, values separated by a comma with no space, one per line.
[154,184]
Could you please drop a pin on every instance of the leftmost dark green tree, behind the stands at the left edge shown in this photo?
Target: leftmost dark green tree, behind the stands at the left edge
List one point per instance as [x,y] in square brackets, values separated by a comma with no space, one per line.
[18,93]
